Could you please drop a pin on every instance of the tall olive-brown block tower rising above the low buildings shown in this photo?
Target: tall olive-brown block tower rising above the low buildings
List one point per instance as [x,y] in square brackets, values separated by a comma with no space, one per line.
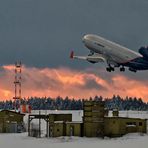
[93,118]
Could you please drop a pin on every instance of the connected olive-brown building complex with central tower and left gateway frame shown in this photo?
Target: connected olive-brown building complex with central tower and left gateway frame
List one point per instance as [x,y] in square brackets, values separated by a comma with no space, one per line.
[95,123]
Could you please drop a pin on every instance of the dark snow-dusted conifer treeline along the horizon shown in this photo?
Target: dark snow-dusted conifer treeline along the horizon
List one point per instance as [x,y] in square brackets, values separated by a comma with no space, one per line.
[59,103]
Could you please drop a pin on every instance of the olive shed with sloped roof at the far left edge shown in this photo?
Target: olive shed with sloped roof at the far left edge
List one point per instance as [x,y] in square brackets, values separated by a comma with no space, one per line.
[11,122]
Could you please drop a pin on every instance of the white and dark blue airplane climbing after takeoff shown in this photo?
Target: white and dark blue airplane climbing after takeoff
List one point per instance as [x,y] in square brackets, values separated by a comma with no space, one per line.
[115,55]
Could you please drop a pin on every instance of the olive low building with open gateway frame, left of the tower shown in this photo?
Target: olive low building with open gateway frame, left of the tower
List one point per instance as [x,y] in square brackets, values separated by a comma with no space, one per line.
[55,124]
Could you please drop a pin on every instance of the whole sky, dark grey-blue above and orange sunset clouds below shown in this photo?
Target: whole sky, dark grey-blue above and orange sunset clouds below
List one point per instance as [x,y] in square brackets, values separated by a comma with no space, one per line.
[41,33]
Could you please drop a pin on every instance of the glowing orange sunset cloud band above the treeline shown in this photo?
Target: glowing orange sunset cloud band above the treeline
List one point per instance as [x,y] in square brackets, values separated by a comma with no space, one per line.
[68,82]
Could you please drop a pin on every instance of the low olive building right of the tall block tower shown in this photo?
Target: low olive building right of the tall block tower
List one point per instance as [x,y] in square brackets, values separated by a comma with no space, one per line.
[118,126]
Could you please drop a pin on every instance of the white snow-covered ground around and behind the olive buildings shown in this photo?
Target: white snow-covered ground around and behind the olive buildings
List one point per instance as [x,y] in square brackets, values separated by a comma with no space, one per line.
[127,141]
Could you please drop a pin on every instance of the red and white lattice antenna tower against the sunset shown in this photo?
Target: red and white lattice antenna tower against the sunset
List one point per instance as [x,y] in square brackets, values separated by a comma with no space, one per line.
[17,84]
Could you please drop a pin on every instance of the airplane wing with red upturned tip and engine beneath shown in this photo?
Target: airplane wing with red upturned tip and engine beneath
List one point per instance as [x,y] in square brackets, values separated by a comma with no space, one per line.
[95,58]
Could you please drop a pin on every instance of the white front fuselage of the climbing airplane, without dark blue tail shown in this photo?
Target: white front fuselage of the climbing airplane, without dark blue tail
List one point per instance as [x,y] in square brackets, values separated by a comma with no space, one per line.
[111,51]
